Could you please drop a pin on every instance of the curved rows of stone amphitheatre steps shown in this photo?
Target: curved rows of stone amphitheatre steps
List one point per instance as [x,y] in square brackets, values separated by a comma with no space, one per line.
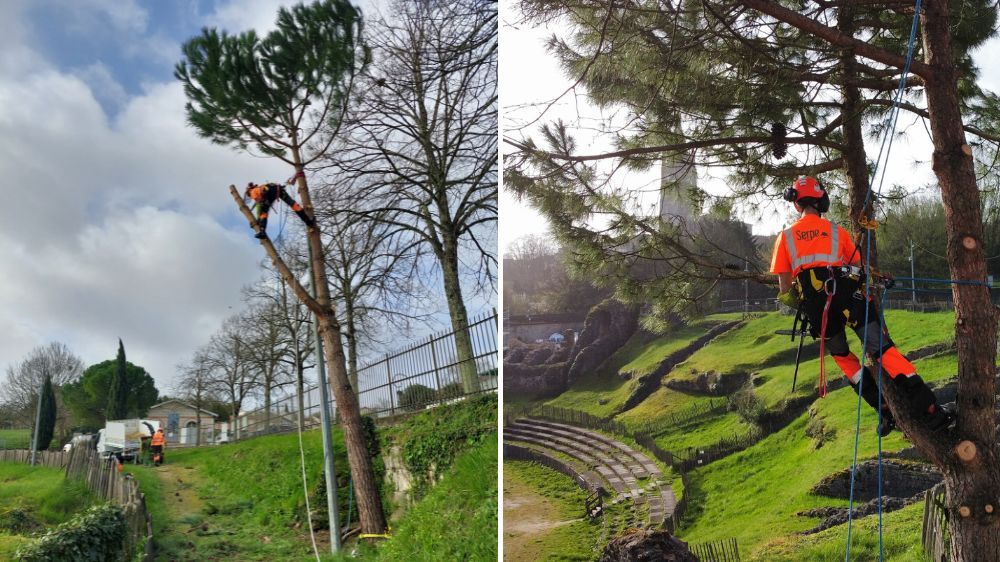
[632,476]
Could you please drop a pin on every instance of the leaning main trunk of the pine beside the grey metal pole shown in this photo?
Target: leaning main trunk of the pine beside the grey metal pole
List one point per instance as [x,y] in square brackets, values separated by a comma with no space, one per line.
[365,488]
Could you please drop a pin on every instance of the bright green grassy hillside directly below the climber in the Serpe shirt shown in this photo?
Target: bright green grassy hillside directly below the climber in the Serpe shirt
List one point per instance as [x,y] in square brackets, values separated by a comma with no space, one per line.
[754,495]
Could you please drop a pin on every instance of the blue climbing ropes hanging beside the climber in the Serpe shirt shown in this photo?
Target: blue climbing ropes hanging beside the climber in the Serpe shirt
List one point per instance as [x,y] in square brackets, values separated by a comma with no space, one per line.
[884,149]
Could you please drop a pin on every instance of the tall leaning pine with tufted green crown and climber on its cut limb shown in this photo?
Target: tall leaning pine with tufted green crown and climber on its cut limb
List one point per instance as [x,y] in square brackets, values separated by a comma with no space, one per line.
[284,95]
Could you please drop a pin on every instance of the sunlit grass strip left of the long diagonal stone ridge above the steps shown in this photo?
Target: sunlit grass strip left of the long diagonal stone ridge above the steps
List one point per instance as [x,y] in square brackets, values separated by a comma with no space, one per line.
[638,357]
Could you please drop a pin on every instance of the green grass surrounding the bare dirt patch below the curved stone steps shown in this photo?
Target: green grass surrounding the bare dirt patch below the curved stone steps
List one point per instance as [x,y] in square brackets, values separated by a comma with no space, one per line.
[560,499]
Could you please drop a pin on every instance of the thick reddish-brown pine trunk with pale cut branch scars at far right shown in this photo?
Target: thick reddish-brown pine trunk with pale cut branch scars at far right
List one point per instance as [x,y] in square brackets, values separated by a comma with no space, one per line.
[974,485]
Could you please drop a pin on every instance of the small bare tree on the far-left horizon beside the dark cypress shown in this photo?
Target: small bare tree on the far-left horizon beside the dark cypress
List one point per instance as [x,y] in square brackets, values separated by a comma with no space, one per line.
[19,392]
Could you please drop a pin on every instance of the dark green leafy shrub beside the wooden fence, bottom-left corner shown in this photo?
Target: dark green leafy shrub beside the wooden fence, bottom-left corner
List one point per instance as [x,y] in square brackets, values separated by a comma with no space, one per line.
[96,535]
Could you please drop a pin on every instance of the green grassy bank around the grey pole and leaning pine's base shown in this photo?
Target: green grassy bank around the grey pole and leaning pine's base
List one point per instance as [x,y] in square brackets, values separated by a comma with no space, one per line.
[248,497]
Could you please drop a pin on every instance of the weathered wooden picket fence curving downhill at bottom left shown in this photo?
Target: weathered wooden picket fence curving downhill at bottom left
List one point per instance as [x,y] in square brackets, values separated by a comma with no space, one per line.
[105,479]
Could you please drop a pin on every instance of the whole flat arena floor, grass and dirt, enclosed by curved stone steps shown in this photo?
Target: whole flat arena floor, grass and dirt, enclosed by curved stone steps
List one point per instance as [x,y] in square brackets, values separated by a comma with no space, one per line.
[542,514]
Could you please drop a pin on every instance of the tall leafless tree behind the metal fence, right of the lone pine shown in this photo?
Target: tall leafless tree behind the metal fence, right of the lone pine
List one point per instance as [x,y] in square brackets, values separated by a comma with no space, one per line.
[422,140]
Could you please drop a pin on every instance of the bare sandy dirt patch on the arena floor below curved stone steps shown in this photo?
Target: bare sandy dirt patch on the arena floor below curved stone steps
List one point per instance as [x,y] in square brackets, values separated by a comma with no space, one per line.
[528,518]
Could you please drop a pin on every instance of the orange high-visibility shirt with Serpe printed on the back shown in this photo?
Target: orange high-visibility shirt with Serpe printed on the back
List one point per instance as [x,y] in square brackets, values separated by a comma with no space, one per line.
[812,242]
